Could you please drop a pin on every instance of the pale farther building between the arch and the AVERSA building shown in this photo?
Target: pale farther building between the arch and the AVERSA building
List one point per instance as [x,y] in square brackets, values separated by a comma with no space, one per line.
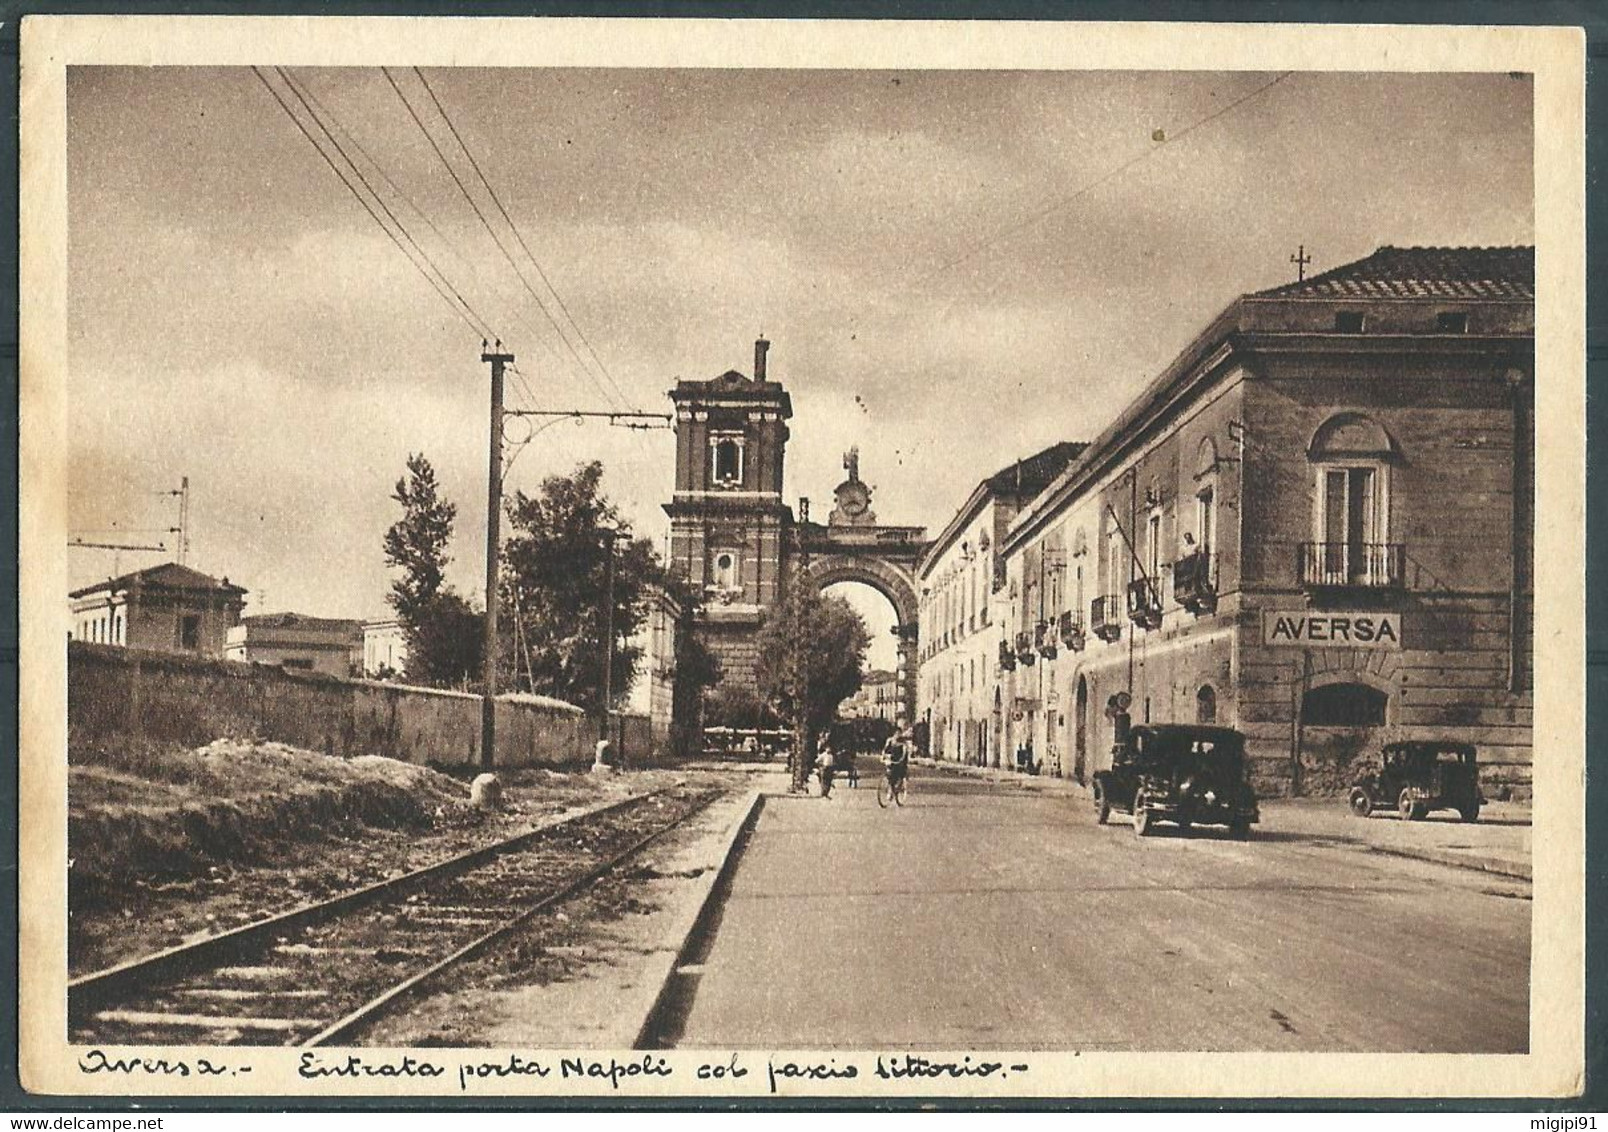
[961,699]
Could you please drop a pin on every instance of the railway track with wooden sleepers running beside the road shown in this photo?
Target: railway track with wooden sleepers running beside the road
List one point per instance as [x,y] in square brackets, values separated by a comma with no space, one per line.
[322,972]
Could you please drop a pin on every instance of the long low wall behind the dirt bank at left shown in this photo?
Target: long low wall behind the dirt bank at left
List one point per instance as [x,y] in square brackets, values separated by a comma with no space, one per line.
[121,694]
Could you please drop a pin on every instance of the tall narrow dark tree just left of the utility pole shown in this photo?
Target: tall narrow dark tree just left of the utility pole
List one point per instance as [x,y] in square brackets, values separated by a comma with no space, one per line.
[443,633]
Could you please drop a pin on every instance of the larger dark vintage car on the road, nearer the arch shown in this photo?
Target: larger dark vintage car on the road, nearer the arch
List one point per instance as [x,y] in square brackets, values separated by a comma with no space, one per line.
[1181,774]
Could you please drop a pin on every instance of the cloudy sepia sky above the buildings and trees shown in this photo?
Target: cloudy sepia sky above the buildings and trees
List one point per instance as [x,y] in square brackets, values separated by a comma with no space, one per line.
[954,268]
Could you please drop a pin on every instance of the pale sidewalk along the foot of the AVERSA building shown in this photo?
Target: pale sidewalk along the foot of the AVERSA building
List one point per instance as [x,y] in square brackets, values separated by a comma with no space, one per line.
[1498,843]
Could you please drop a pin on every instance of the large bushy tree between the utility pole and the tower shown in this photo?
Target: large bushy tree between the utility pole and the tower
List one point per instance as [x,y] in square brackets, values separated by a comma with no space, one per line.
[554,584]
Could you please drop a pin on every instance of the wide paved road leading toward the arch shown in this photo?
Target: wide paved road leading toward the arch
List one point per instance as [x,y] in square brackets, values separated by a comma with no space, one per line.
[983,917]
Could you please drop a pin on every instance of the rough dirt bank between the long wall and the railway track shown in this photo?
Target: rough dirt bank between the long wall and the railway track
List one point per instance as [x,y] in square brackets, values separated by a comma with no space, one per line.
[194,843]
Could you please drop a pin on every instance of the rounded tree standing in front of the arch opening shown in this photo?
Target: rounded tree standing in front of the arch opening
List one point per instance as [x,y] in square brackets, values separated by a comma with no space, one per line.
[811,652]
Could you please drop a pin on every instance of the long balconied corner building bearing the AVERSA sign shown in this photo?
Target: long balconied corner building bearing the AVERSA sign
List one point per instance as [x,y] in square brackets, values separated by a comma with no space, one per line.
[1315,527]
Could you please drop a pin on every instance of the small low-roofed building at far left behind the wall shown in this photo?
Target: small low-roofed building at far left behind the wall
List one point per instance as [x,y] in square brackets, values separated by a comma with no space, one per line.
[170,609]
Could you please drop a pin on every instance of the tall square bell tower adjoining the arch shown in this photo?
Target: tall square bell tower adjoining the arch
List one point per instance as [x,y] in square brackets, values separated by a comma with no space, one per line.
[728,519]
